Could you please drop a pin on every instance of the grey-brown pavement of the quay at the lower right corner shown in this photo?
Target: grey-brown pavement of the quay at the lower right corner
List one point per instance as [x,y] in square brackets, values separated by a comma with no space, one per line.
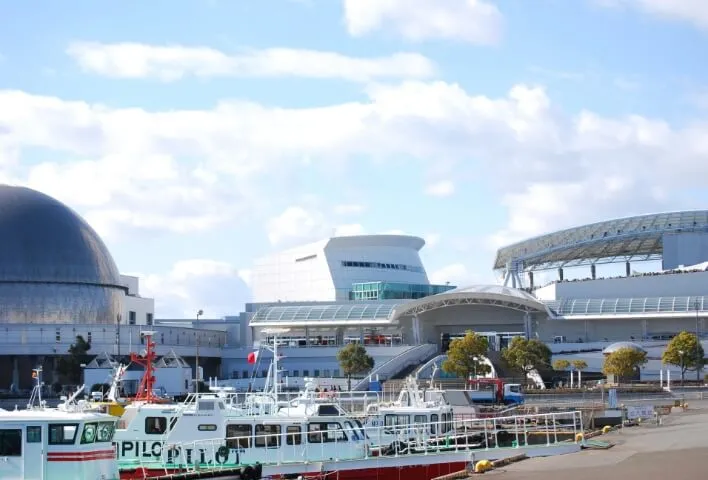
[678,449]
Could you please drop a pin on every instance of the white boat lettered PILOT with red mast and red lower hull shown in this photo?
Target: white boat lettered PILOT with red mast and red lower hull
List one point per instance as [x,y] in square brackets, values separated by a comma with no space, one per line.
[312,437]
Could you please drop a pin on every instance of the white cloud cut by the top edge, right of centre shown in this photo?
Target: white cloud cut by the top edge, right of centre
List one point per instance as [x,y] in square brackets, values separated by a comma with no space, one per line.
[472,21]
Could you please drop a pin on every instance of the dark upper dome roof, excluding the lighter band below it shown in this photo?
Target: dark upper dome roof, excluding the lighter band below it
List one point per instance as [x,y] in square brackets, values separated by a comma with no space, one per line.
[43,240]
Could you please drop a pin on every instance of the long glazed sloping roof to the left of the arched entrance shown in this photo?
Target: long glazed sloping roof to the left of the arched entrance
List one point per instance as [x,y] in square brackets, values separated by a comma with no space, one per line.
[340,314]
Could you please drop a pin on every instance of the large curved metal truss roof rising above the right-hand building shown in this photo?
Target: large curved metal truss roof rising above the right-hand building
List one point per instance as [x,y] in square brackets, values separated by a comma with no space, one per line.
[624,239]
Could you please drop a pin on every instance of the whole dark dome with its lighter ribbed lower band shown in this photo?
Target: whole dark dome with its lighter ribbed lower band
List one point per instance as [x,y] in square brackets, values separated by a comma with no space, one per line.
[54,268]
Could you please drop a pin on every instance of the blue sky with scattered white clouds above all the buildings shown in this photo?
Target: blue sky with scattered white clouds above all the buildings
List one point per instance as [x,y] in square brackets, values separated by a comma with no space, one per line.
[198,135]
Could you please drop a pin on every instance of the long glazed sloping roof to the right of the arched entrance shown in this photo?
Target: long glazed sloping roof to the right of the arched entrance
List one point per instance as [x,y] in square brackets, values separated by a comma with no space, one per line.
[628,306]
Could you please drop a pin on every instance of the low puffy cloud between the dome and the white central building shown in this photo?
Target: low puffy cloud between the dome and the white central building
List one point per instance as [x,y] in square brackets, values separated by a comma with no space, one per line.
[215,287]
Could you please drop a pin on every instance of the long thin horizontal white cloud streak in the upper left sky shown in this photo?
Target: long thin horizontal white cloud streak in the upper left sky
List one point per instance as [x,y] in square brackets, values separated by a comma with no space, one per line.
[170,63]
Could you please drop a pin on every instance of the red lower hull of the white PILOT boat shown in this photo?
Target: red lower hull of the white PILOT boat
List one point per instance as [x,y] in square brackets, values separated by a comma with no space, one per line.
[412,472]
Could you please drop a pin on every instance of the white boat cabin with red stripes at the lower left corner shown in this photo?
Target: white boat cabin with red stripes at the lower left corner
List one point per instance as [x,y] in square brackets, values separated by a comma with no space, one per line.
[43,443]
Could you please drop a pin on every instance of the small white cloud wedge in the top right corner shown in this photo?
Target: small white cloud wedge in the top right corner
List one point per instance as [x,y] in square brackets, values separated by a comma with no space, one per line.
[691,11]
